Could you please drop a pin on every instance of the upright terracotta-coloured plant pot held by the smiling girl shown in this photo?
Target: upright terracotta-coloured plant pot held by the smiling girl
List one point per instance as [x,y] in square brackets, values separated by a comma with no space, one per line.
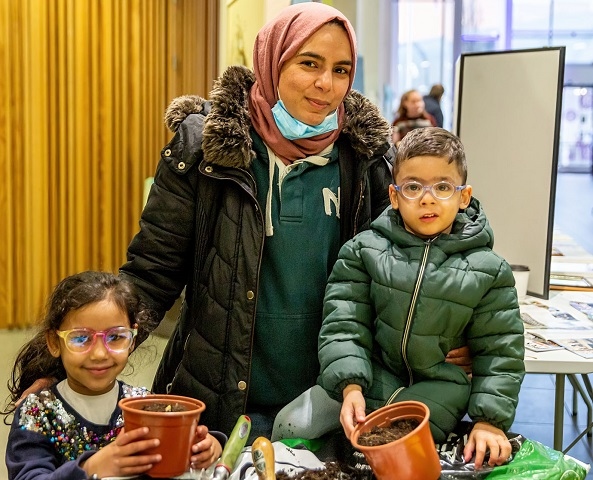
[176,430]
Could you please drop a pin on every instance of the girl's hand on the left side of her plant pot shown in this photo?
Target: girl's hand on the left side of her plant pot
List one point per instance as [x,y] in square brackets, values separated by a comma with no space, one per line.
[120,458]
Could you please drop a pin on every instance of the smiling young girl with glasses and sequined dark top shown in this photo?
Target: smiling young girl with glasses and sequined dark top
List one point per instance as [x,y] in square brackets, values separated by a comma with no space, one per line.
[74,429]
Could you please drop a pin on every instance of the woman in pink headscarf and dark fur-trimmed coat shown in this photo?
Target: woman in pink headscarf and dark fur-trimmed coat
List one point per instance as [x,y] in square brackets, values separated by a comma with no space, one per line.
[252,199]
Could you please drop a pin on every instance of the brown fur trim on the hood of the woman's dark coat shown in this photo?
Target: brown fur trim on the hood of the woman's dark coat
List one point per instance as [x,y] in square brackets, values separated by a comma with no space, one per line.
[226,138]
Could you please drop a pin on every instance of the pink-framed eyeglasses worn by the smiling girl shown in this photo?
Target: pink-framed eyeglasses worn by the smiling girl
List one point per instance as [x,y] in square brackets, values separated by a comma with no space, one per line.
[81,340]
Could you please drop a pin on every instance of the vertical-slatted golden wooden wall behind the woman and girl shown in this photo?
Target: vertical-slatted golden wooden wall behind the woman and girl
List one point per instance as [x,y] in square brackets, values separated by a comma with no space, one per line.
[84,86]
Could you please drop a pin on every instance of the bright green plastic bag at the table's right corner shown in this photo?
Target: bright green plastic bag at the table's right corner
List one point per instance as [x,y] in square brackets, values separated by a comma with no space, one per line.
[535,461]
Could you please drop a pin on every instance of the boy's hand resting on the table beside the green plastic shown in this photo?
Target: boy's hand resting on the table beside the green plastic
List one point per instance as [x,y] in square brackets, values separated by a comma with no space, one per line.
[487,437]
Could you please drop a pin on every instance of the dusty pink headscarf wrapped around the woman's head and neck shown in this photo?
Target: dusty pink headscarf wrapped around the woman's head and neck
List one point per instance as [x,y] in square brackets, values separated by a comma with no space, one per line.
[278,41]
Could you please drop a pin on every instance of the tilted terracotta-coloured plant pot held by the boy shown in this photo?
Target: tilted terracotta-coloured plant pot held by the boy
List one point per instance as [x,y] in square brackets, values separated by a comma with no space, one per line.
[410,457]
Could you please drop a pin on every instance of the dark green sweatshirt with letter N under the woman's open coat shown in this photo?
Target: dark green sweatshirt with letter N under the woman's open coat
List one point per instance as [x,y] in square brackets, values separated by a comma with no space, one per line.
[289,309]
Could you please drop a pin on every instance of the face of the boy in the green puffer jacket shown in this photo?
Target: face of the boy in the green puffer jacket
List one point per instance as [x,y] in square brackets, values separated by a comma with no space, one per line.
[428,216]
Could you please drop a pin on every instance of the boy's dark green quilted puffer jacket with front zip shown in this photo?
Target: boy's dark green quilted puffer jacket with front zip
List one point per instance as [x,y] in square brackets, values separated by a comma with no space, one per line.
[396,304]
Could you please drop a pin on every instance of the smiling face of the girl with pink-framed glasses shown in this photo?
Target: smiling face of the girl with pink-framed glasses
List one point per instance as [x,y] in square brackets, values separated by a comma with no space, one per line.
[93,372]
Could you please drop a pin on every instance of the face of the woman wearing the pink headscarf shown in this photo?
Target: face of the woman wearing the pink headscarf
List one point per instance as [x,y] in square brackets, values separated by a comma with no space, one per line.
[314,82]
